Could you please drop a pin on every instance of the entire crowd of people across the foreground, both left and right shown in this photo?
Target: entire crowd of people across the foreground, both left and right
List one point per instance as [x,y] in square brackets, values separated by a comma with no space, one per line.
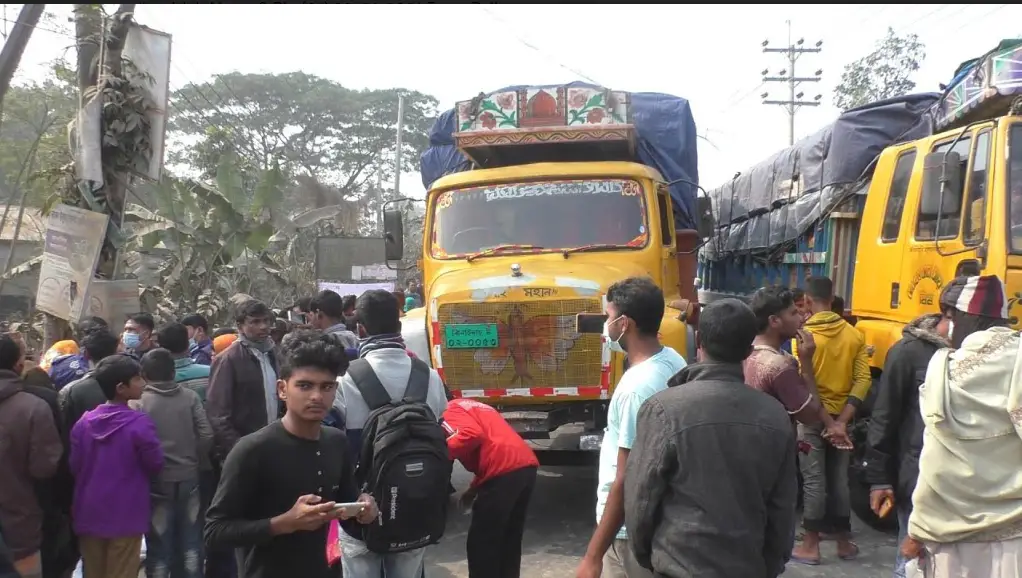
[285,446]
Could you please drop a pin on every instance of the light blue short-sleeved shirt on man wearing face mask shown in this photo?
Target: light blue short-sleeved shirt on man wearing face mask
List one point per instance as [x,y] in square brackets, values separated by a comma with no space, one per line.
[638,384]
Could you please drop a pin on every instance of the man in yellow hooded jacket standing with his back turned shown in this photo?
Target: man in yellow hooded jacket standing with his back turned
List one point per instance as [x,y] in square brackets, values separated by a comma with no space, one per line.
[843,371]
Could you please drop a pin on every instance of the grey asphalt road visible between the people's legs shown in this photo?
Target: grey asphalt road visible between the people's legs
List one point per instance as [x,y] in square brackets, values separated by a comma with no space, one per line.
[562,520]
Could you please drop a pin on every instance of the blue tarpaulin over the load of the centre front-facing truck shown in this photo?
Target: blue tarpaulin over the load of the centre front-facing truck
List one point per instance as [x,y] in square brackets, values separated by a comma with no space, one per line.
[666,141]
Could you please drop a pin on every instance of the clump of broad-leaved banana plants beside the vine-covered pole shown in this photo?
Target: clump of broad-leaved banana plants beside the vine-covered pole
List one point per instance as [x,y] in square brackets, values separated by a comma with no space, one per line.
[203,244]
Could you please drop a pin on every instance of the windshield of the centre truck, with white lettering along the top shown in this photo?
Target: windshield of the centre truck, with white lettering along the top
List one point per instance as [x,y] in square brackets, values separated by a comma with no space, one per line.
[540,216]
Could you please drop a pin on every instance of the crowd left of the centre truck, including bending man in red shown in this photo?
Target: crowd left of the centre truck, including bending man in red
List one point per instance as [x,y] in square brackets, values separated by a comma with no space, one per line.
[267,450]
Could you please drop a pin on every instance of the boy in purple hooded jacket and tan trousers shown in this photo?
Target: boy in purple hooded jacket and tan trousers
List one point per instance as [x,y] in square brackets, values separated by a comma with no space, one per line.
[115,455]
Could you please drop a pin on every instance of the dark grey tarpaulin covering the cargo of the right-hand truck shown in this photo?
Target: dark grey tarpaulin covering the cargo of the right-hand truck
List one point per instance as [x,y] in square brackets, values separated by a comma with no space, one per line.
[782,198]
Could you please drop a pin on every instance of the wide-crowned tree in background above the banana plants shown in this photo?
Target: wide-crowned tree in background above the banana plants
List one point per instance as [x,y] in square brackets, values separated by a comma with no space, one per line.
[313,128]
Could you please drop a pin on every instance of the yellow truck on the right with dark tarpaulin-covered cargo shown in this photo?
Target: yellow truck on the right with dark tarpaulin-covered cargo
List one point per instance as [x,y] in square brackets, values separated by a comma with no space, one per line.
[892,202]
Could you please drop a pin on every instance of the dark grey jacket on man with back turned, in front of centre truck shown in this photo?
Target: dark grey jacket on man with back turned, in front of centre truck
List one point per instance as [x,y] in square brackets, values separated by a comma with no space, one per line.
[712,481]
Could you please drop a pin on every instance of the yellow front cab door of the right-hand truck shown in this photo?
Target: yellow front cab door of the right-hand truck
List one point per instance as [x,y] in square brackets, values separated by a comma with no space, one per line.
[925,271]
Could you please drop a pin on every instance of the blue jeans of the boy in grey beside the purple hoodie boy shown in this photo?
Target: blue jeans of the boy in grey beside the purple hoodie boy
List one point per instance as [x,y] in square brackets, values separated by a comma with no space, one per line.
[175,539]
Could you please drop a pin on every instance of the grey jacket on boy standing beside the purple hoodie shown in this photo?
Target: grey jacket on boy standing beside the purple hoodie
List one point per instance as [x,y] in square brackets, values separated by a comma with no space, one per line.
[182,427]
